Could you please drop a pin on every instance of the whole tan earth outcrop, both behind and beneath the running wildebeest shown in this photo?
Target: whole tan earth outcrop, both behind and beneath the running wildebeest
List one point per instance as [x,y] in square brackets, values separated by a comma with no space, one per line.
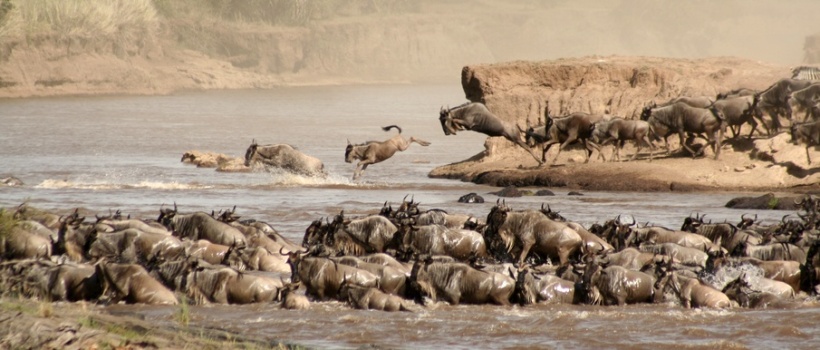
[520,91]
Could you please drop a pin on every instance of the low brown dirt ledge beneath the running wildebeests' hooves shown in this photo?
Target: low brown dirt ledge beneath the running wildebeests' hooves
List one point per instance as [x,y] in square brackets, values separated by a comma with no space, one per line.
[735,170]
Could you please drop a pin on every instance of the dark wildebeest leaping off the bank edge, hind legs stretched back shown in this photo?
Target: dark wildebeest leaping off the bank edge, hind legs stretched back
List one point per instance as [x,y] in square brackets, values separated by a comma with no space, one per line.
[476,117]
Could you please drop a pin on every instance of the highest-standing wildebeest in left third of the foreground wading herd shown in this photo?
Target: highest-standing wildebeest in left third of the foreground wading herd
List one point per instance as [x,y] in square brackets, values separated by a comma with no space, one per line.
[200,225]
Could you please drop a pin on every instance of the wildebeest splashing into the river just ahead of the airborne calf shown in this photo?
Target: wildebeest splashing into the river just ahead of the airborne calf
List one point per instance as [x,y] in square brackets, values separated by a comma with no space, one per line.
[284,156]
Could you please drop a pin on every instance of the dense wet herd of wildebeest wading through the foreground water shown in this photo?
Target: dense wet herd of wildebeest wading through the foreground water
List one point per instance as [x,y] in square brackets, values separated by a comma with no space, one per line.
[403,258]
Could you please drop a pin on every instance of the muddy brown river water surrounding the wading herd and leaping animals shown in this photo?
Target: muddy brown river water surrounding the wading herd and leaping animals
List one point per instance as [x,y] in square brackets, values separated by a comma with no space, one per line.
[123,153]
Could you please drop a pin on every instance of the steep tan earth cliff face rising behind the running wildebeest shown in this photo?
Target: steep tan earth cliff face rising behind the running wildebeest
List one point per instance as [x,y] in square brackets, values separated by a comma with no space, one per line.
[519,91]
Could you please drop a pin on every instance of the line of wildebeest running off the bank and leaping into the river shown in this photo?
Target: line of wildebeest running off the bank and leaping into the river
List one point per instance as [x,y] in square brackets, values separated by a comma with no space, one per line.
[689,117]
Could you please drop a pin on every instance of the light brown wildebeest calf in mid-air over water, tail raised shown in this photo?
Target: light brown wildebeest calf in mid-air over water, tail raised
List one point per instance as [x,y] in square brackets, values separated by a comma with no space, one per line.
[376,152]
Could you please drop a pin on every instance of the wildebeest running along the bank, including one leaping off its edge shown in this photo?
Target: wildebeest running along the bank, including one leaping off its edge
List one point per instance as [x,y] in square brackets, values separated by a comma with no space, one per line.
[686,116]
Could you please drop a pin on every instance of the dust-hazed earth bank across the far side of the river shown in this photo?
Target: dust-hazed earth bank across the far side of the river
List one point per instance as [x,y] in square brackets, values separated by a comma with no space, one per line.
[367,42]
